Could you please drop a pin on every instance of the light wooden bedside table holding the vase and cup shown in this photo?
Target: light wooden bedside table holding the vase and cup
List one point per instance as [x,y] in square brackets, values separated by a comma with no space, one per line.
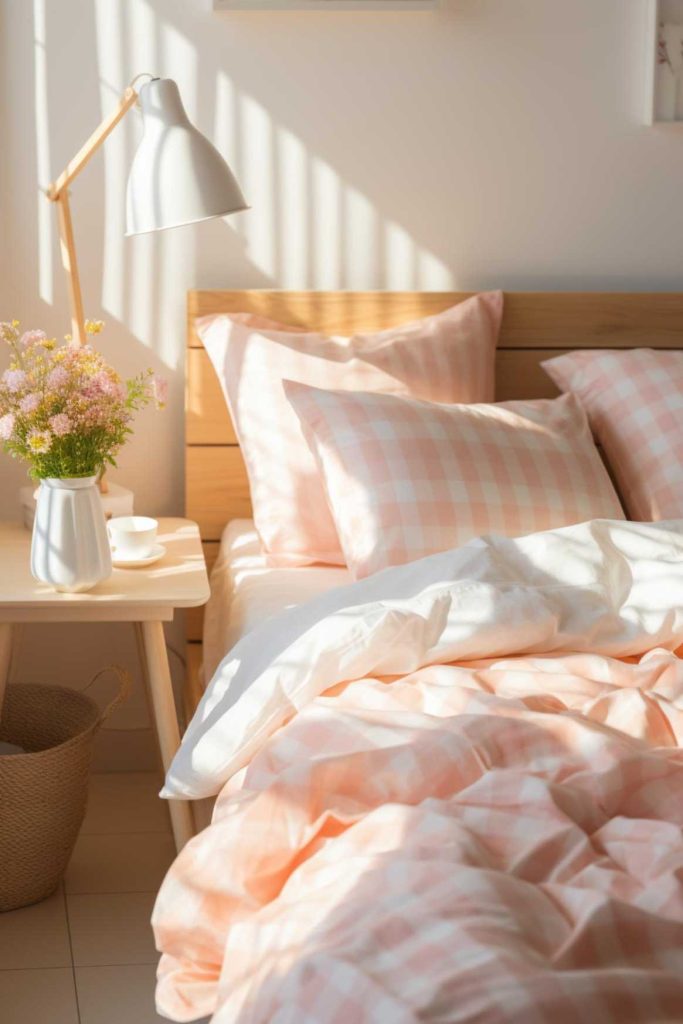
[145,598]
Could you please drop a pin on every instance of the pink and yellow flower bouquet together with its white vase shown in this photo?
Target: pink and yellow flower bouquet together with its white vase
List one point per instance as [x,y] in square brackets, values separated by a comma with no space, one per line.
[67,413]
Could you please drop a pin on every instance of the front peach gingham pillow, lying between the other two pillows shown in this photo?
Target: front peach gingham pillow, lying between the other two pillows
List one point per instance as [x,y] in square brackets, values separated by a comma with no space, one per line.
[408,479]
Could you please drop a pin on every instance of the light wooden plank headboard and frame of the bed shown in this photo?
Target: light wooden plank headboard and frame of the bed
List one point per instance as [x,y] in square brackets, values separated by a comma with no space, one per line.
[536,326]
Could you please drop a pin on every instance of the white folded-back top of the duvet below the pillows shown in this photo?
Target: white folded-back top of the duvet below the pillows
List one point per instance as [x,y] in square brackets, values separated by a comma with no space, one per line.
[604,587]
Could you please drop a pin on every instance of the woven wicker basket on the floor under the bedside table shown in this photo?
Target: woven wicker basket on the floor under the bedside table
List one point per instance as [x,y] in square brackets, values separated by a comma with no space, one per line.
[44,793]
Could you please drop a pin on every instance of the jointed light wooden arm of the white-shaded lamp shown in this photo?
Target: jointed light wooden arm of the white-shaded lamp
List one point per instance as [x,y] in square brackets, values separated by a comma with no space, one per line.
[59,193]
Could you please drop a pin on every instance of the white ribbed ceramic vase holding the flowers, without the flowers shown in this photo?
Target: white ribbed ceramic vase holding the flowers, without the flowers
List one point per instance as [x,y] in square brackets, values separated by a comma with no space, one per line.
[70,548]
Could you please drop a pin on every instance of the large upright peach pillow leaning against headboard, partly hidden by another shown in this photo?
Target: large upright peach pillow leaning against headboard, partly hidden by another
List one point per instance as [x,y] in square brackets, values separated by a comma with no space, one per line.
[447,358]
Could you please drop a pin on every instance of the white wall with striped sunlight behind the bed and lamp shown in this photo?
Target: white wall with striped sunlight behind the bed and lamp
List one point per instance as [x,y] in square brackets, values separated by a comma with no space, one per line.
[488,144]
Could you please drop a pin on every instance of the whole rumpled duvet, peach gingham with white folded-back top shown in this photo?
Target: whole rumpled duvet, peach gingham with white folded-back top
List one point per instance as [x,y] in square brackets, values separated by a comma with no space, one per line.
[452,793]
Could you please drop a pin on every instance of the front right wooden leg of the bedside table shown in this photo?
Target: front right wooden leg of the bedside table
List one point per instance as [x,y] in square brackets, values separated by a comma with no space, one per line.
[166,721]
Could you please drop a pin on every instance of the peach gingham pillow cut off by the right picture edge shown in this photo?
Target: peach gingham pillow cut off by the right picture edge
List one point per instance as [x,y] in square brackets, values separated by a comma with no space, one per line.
[634,401]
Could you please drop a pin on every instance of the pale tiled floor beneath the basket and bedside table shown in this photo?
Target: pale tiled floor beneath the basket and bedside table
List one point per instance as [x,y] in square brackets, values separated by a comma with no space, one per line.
[87,956]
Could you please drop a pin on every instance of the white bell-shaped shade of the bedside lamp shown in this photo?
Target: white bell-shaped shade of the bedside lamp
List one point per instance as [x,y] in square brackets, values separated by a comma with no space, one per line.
[178,177]
